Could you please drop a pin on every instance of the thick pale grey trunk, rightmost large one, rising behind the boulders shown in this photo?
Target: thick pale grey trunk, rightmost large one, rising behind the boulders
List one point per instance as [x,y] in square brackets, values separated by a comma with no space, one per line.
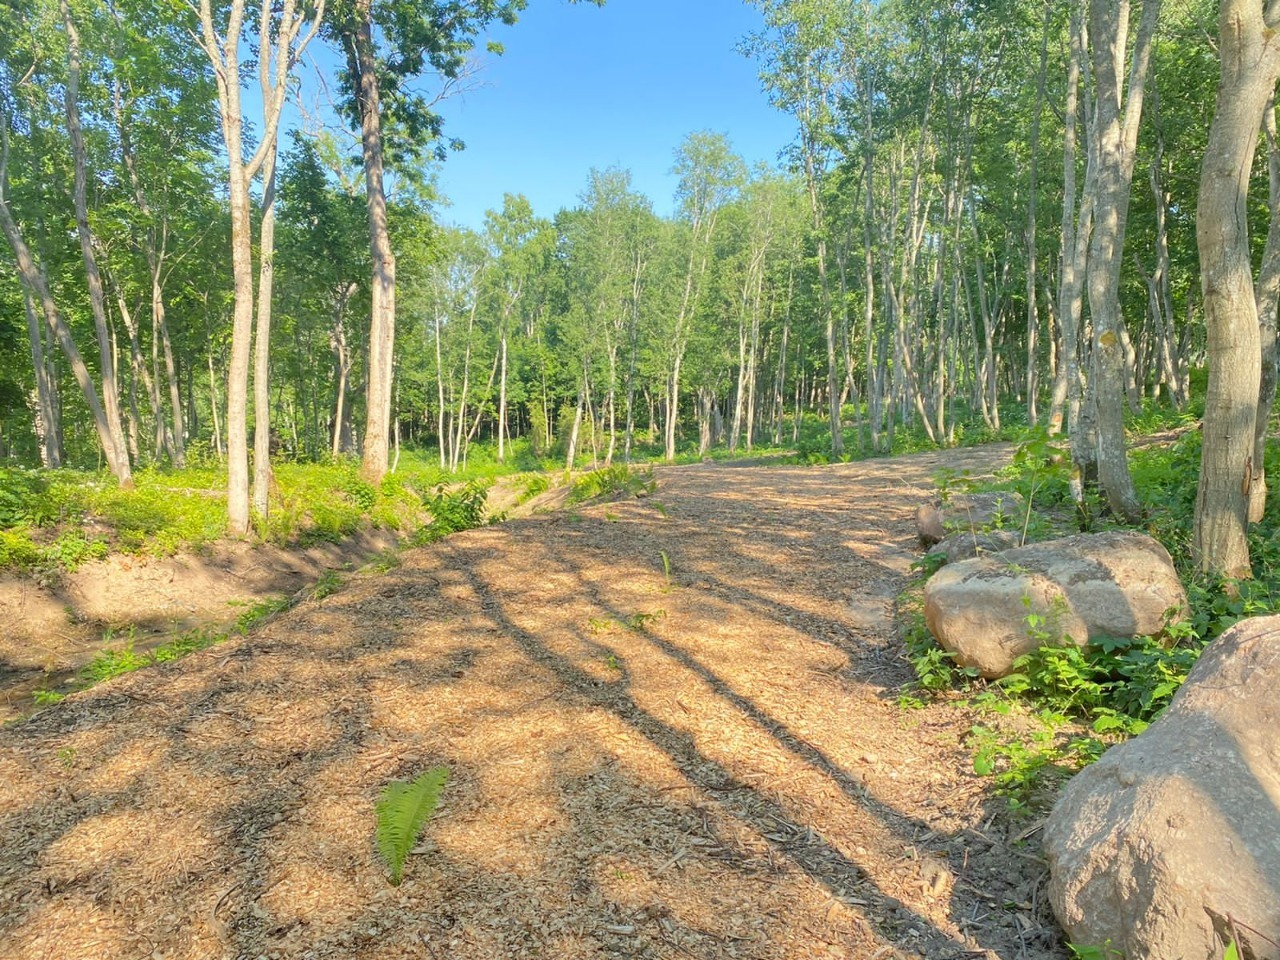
[1250,53]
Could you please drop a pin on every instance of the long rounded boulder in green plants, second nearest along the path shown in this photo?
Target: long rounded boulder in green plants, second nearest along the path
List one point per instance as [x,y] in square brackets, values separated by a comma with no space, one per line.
[990,611]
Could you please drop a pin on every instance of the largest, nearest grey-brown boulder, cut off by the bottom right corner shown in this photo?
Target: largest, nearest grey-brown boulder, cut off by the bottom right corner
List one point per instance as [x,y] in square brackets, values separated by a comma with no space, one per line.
[1172,842]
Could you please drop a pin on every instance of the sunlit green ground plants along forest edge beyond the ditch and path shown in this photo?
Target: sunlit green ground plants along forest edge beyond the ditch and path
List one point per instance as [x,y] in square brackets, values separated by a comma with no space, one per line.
[54,522]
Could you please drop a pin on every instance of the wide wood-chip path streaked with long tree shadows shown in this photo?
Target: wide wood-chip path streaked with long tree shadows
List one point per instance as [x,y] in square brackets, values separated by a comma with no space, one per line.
[673,728]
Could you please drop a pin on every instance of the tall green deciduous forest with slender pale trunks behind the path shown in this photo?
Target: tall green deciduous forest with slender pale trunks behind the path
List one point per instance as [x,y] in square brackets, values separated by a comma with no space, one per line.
[995,217]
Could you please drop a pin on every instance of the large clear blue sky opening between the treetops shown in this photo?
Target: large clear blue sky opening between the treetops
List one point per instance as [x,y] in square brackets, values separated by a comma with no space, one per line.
[582,86]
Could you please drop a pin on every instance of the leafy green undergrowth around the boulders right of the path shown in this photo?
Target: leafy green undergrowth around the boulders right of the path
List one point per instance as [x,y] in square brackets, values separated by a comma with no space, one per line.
[1064,706]
